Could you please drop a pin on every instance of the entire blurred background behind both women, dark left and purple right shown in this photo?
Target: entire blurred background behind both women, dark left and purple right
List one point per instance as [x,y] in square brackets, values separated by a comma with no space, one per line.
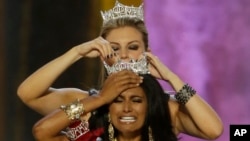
[207,43]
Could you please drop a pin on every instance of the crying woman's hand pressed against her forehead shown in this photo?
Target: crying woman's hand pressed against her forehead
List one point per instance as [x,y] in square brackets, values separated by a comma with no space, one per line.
[118,82]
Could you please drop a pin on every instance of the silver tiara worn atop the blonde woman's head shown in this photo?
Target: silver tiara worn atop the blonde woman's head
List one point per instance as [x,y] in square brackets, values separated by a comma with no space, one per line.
[120,11]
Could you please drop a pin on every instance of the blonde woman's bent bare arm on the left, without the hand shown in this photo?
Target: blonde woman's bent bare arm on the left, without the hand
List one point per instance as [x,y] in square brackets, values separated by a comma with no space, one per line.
[36,90]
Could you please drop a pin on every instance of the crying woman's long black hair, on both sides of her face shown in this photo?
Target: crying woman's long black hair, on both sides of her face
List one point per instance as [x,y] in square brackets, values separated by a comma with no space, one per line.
[158,115]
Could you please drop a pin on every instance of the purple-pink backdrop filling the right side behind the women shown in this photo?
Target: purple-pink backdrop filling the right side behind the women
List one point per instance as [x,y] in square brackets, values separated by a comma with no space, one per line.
[207,43]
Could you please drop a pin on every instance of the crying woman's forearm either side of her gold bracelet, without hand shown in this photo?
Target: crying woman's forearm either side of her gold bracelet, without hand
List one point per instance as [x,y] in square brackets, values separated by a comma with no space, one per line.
[49,127]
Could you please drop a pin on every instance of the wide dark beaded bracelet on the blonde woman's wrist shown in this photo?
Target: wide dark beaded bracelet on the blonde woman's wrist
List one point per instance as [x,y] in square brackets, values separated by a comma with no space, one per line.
[185,93]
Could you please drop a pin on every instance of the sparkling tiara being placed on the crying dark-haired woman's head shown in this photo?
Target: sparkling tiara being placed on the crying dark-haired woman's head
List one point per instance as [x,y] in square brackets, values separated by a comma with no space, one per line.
[140,66]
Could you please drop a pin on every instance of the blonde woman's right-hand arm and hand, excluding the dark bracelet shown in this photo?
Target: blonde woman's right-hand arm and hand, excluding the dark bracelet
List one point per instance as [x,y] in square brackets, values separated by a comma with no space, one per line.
[196,117]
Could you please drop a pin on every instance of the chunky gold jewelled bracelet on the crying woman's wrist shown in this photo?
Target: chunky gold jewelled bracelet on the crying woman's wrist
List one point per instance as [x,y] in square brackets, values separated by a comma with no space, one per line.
[73,110]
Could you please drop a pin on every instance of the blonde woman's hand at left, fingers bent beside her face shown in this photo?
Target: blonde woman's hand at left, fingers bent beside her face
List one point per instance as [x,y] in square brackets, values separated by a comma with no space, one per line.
[94,48]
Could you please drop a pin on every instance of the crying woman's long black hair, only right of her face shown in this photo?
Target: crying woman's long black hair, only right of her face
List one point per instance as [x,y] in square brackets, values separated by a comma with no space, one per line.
[158,116]
